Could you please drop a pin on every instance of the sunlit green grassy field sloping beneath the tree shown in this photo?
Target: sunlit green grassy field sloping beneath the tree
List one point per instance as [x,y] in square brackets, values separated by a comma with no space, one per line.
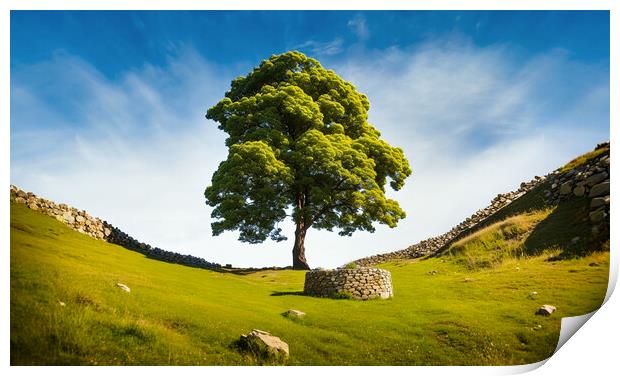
[472,306]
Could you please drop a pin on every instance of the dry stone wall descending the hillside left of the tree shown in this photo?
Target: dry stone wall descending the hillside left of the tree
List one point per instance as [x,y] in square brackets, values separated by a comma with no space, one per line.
[83,222]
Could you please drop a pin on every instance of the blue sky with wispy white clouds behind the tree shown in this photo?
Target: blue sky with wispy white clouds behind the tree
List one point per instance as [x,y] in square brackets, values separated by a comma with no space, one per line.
[107,110]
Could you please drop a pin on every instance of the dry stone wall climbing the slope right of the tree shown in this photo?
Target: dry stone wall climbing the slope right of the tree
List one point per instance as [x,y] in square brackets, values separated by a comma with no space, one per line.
[588,180]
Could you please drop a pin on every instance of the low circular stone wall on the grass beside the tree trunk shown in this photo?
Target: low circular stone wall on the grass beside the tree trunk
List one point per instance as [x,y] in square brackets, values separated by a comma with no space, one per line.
[360,283]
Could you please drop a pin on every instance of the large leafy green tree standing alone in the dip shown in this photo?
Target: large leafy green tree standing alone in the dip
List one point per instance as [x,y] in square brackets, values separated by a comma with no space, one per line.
[300,146]
